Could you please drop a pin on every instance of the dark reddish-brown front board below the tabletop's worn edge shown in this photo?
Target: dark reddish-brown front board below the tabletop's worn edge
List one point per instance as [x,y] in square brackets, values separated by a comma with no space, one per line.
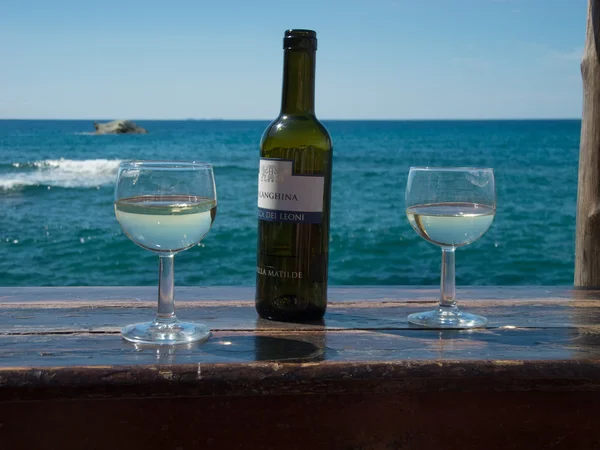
[367,421]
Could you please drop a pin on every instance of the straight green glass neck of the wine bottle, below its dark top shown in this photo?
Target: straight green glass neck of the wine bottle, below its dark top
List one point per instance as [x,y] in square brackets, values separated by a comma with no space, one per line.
[298,82]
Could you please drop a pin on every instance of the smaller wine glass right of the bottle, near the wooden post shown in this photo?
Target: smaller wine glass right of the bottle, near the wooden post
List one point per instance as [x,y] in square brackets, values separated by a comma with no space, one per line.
[450,207]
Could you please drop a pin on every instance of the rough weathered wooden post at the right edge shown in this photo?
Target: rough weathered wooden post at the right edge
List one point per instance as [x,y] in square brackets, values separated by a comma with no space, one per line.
[587,249]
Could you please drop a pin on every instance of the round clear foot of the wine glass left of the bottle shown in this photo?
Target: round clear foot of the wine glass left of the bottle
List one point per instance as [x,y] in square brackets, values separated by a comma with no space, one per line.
[165,334]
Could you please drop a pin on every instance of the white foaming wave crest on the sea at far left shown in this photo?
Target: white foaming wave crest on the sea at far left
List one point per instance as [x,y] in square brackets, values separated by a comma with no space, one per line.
[66,173]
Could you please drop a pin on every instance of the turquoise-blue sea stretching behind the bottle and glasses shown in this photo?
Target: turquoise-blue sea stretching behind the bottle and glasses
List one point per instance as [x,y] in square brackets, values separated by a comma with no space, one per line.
[58,227]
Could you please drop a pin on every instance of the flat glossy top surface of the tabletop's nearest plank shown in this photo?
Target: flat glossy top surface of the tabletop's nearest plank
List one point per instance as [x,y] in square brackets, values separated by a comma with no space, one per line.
[341,346]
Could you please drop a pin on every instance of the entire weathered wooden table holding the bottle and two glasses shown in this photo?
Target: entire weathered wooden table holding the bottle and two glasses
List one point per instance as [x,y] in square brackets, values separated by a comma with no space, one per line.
[361,379]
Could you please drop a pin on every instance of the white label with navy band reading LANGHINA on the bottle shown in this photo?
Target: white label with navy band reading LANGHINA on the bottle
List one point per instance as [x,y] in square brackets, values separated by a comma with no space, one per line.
[287,197]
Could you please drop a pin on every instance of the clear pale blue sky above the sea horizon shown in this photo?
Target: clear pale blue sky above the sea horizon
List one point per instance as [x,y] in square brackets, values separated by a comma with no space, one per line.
[377,59]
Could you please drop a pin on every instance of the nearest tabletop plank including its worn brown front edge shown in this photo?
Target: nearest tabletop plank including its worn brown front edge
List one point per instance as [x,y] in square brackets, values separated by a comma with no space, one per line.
[274,363]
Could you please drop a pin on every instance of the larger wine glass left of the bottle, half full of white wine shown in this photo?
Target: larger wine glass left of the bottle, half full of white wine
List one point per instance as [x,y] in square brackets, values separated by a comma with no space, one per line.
[165,207]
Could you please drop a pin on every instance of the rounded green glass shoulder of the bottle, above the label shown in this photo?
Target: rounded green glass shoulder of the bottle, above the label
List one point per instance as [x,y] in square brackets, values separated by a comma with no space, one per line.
[296,131]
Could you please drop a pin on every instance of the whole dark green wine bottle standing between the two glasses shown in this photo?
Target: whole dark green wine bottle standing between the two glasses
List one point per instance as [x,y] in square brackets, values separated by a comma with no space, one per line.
[294,192]
